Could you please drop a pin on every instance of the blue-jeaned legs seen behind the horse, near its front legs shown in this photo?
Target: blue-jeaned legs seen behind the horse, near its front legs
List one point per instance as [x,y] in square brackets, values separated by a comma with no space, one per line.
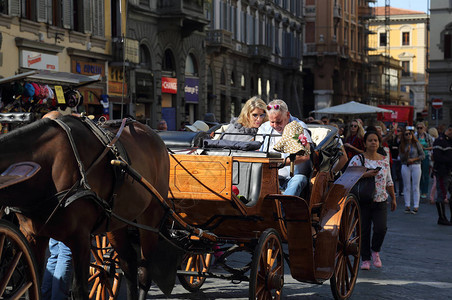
[58,273]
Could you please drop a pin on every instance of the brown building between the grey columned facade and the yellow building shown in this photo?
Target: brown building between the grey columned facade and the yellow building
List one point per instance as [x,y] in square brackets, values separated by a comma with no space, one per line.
[334,54]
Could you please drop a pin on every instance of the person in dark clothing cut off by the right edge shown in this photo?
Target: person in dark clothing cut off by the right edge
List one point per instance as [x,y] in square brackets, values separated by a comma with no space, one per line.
[442,167]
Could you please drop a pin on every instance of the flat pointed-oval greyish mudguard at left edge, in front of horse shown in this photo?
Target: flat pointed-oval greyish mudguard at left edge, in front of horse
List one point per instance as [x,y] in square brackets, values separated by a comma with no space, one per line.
[18,172]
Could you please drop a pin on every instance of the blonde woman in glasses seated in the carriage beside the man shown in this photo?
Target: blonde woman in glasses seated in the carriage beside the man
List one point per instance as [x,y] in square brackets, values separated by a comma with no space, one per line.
[244,128]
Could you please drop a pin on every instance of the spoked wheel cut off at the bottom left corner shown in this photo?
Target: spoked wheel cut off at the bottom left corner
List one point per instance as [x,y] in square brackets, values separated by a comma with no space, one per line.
[18,273]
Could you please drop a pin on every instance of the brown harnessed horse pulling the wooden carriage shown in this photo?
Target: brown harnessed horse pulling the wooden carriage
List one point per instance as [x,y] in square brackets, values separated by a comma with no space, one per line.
[46,143]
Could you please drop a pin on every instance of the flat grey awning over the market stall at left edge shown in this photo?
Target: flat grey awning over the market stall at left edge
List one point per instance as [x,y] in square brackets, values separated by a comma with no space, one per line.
[63,78]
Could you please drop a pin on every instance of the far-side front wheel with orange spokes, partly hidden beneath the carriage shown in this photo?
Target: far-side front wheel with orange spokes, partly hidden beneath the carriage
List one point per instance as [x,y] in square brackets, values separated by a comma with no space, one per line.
[194,263]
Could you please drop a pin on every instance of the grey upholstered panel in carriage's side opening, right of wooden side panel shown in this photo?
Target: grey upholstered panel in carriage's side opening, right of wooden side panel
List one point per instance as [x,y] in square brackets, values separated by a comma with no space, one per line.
[247,177]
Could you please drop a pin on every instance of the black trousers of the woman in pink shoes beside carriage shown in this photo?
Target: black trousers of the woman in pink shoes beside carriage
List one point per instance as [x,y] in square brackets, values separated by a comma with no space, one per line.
[374,214]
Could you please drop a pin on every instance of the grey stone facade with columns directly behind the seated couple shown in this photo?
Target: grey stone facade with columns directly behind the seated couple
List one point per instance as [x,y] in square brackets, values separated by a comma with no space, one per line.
[254,48]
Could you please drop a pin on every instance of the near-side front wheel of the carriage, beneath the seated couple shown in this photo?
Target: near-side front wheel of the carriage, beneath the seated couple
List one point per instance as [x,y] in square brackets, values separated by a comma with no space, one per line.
[267,267]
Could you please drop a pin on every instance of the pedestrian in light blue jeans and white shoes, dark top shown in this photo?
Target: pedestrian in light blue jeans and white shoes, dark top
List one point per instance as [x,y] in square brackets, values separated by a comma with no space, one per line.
[411,156]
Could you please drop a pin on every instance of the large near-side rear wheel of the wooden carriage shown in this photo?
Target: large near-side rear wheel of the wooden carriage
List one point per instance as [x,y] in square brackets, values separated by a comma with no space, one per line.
[348,251]
